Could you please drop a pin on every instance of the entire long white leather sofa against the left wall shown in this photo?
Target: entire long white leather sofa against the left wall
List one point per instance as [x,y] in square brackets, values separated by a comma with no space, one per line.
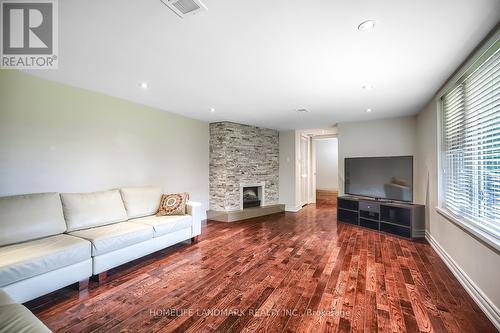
[50,240]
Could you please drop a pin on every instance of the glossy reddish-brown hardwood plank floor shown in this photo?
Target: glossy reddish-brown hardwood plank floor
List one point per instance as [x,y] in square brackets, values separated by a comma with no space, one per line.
[288,272]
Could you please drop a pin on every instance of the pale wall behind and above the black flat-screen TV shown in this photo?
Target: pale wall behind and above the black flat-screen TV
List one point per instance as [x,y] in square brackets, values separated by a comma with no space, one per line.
[385,137]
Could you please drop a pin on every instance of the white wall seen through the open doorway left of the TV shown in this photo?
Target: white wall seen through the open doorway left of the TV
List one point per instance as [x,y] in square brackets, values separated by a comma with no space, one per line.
[326,164]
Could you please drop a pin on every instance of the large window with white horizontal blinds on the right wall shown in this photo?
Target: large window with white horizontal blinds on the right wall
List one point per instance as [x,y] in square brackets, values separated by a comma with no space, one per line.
[471,147]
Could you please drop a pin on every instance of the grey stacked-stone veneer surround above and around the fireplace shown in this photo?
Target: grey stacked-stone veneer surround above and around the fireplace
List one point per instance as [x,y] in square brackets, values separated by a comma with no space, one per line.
[242,154]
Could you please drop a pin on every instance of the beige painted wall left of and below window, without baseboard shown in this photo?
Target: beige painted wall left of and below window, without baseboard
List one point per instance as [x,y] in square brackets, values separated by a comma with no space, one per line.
[478,261]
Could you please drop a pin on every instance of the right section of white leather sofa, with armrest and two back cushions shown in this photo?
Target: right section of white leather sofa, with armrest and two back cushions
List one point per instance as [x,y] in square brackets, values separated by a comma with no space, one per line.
[121,224]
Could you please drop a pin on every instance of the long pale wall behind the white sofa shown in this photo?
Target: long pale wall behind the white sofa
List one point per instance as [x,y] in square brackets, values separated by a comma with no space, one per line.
[54,137]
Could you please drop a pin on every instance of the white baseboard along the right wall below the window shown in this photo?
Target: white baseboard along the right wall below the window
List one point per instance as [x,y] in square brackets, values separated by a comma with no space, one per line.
[472,289]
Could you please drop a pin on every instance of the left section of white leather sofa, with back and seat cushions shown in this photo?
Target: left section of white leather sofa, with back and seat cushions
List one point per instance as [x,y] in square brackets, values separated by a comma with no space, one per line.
[36,256]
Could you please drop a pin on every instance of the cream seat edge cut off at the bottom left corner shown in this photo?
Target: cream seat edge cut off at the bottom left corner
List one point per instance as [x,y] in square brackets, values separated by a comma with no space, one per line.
[17,318]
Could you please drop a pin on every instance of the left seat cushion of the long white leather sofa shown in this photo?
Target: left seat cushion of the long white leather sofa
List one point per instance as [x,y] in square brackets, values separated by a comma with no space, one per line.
[25,260]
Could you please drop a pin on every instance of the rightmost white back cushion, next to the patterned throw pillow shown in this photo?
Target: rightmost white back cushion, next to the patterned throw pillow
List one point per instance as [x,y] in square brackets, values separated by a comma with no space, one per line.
[141,201]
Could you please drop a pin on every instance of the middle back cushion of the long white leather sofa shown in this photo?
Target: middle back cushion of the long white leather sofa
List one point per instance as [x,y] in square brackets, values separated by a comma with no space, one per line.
[88,210]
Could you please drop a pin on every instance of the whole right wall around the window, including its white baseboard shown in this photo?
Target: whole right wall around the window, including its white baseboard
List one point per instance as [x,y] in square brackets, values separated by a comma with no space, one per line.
[475,263]
